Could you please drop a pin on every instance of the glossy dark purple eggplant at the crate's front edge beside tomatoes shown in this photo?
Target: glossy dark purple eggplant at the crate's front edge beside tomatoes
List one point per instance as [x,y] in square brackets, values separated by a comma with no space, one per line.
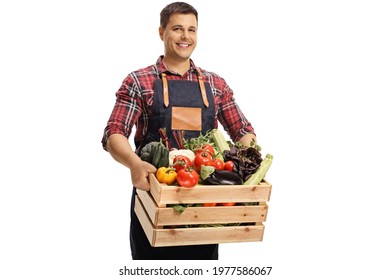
[212,176]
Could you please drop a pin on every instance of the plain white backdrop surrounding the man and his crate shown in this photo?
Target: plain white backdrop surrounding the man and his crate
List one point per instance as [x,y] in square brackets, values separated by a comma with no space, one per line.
[312,76]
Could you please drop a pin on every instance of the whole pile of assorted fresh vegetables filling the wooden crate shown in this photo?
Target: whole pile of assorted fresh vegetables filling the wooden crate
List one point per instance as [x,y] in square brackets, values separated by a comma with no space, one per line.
[208,159]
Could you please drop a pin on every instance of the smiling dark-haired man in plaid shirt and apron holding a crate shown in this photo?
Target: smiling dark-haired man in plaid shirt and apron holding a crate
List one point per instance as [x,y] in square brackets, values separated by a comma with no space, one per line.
[162,96]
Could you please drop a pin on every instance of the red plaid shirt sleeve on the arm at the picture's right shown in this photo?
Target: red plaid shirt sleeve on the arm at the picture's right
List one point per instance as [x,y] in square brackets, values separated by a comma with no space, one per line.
[230,115]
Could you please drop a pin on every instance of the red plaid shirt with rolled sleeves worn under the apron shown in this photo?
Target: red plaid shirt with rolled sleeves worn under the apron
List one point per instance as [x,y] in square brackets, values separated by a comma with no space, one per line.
[134,100]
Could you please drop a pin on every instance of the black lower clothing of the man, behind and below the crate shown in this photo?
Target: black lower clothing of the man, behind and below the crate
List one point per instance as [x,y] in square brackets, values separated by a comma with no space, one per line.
[142,250]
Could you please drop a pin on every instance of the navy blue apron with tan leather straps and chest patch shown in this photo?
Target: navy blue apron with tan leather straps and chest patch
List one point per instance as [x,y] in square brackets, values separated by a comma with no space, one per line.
[172,99]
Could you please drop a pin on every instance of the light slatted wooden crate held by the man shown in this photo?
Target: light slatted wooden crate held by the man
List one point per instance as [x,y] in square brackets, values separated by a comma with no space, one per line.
[164,226]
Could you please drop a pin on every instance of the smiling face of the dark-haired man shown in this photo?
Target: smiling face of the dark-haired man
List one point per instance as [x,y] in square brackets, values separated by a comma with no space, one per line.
[179,36]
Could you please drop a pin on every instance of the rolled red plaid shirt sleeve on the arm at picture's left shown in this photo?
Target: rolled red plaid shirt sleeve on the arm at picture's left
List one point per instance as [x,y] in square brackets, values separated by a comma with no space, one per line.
[126,110]
